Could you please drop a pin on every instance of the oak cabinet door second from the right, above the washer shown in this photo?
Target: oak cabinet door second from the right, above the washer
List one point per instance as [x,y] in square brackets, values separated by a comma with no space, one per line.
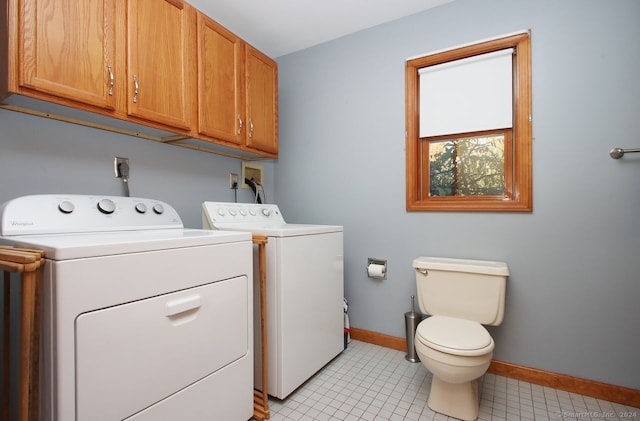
[220,82]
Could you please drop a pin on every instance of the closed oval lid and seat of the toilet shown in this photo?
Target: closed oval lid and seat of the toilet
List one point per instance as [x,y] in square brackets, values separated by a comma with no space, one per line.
[454,336]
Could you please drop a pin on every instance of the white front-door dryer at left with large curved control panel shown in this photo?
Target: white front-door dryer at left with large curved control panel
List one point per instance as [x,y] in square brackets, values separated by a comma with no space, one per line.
[142,319]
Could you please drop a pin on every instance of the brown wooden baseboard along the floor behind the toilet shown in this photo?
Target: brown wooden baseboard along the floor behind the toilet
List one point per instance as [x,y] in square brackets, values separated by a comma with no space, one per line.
[594,389]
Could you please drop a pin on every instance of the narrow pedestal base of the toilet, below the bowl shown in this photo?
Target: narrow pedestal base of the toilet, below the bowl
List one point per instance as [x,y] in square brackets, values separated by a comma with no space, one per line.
[457,400]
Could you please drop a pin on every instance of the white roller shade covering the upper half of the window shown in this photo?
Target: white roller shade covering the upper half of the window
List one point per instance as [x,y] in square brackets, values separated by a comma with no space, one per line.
[468,95]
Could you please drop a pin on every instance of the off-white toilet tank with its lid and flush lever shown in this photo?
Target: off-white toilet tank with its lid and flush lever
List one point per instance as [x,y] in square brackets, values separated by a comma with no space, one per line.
[466,289]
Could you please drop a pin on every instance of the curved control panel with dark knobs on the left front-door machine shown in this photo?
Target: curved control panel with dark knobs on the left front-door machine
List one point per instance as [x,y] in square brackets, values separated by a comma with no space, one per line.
[57,214]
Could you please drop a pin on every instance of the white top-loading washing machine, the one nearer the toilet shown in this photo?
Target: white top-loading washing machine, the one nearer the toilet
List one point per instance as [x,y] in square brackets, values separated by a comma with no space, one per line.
[305,290]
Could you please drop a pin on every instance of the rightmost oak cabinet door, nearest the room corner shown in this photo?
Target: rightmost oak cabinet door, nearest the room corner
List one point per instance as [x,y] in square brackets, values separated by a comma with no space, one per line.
[262,101]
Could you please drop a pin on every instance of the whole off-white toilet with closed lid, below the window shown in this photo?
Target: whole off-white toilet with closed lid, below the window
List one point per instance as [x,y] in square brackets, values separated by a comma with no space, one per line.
[461,296]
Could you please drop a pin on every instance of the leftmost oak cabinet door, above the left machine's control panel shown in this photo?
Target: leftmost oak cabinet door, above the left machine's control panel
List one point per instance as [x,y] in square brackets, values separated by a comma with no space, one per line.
[68,49]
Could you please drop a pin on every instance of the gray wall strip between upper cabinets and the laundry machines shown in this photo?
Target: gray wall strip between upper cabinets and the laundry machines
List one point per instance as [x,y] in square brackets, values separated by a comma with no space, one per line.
[46,156]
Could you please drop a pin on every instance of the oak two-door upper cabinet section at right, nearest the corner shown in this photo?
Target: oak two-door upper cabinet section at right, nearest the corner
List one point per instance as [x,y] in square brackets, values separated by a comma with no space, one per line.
[237,90]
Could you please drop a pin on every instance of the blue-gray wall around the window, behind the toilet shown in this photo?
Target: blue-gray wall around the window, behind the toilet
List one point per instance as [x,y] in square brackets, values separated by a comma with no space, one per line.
[572,303]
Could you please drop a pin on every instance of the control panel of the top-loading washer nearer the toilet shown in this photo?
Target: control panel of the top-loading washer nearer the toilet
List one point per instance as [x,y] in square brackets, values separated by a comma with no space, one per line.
[226,212]
